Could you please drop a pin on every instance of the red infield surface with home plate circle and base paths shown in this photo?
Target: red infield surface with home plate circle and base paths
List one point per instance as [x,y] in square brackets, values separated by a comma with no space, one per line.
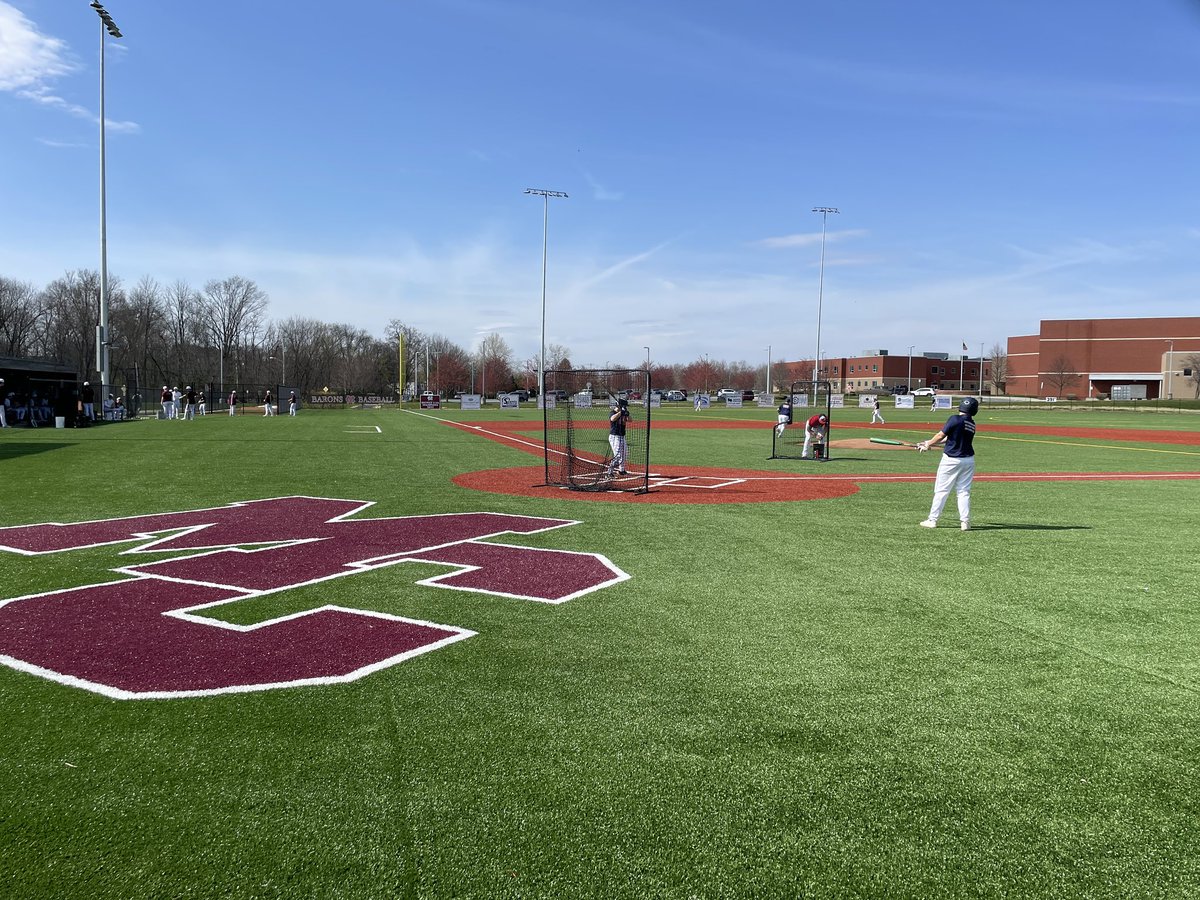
[697,485]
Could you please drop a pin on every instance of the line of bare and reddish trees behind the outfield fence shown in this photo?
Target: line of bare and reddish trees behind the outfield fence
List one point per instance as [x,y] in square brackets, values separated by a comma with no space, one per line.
[221,335]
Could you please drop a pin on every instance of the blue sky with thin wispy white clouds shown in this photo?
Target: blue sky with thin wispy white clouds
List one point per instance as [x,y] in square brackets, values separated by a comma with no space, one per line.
[994,164]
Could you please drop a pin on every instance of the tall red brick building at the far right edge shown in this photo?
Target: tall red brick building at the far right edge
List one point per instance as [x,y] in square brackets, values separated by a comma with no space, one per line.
[1121,359]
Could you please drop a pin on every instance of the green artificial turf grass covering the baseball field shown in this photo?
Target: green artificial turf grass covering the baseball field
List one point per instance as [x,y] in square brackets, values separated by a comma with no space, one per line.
[809,699]
